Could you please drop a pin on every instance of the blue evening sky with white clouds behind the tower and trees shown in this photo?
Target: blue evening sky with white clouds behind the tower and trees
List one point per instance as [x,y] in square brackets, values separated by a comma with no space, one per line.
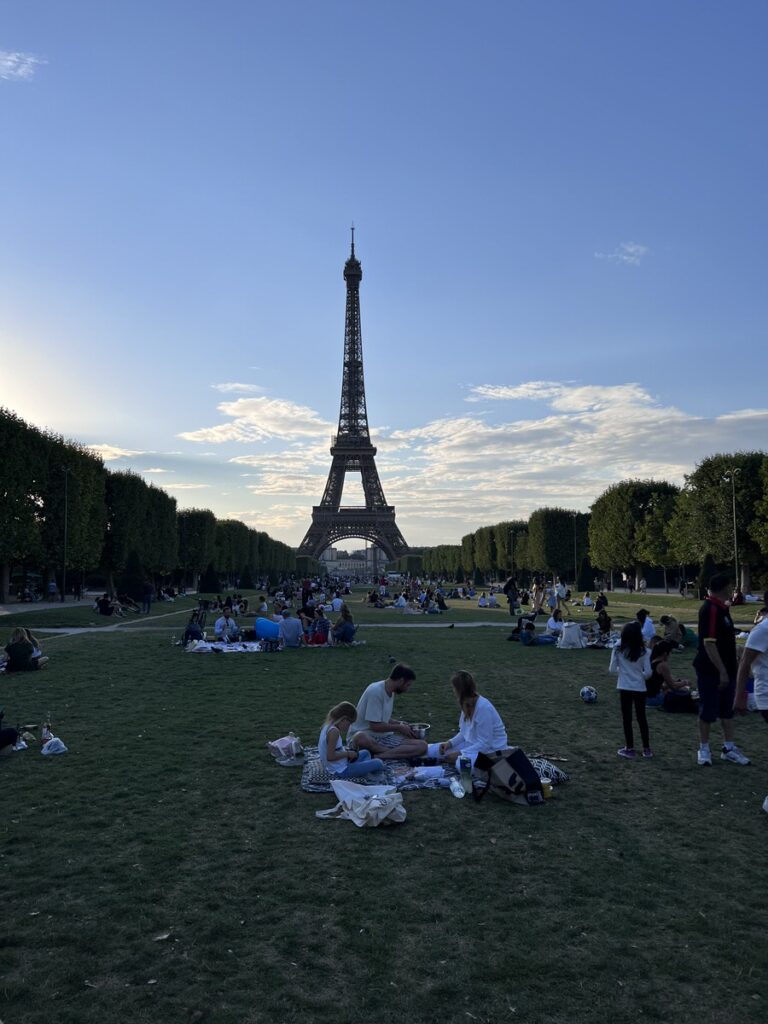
[561,214]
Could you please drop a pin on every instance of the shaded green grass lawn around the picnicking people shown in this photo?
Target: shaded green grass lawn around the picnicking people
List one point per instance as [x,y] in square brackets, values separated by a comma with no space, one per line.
[165,871]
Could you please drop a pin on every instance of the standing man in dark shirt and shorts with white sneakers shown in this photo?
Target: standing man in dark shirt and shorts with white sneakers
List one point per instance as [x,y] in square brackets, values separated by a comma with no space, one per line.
[716,666]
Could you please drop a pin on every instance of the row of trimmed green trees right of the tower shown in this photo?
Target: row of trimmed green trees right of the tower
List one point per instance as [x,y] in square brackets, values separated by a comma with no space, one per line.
[632,527]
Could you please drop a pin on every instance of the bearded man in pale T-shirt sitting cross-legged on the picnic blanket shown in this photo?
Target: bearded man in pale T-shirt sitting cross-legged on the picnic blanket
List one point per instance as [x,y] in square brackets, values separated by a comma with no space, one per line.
[375,722]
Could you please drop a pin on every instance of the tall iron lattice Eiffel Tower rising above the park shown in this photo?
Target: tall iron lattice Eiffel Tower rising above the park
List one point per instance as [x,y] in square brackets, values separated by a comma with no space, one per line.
[354,453]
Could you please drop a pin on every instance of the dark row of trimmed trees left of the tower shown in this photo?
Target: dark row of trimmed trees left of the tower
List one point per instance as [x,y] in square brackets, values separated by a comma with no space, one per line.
[61,508]
